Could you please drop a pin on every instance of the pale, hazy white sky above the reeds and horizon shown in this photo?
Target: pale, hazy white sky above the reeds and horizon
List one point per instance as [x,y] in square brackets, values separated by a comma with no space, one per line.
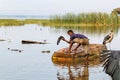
[52,7]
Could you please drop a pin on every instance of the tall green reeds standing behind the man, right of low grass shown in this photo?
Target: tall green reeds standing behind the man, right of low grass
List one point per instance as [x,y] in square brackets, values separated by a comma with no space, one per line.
[86,18]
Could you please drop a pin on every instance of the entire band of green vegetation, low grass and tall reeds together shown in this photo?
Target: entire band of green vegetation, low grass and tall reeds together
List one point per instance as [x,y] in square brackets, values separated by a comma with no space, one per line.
[71,20]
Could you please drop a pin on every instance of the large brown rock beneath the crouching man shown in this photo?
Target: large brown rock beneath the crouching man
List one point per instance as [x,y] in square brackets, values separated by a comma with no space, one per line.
[93,50]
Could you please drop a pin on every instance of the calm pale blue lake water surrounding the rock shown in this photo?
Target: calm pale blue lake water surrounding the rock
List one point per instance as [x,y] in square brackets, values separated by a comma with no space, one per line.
[32,64]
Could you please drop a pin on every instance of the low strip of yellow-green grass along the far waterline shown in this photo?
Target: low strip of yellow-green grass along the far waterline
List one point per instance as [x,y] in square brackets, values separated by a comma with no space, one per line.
[46,22]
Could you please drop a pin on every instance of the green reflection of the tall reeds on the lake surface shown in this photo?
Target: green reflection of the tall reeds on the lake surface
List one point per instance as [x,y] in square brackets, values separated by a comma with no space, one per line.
[91,30]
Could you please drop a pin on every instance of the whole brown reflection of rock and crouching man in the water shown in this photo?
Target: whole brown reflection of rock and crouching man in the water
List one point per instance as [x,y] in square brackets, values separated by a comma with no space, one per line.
[76,69]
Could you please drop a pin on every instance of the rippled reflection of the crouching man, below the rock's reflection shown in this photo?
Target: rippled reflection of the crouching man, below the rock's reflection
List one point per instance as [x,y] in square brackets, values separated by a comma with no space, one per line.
[76,72]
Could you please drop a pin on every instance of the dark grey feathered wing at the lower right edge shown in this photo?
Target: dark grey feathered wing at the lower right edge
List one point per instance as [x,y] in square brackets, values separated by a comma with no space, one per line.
[111,59]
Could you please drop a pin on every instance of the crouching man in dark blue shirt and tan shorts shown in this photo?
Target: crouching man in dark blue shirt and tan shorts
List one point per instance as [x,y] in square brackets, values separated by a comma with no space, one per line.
[77,38]
